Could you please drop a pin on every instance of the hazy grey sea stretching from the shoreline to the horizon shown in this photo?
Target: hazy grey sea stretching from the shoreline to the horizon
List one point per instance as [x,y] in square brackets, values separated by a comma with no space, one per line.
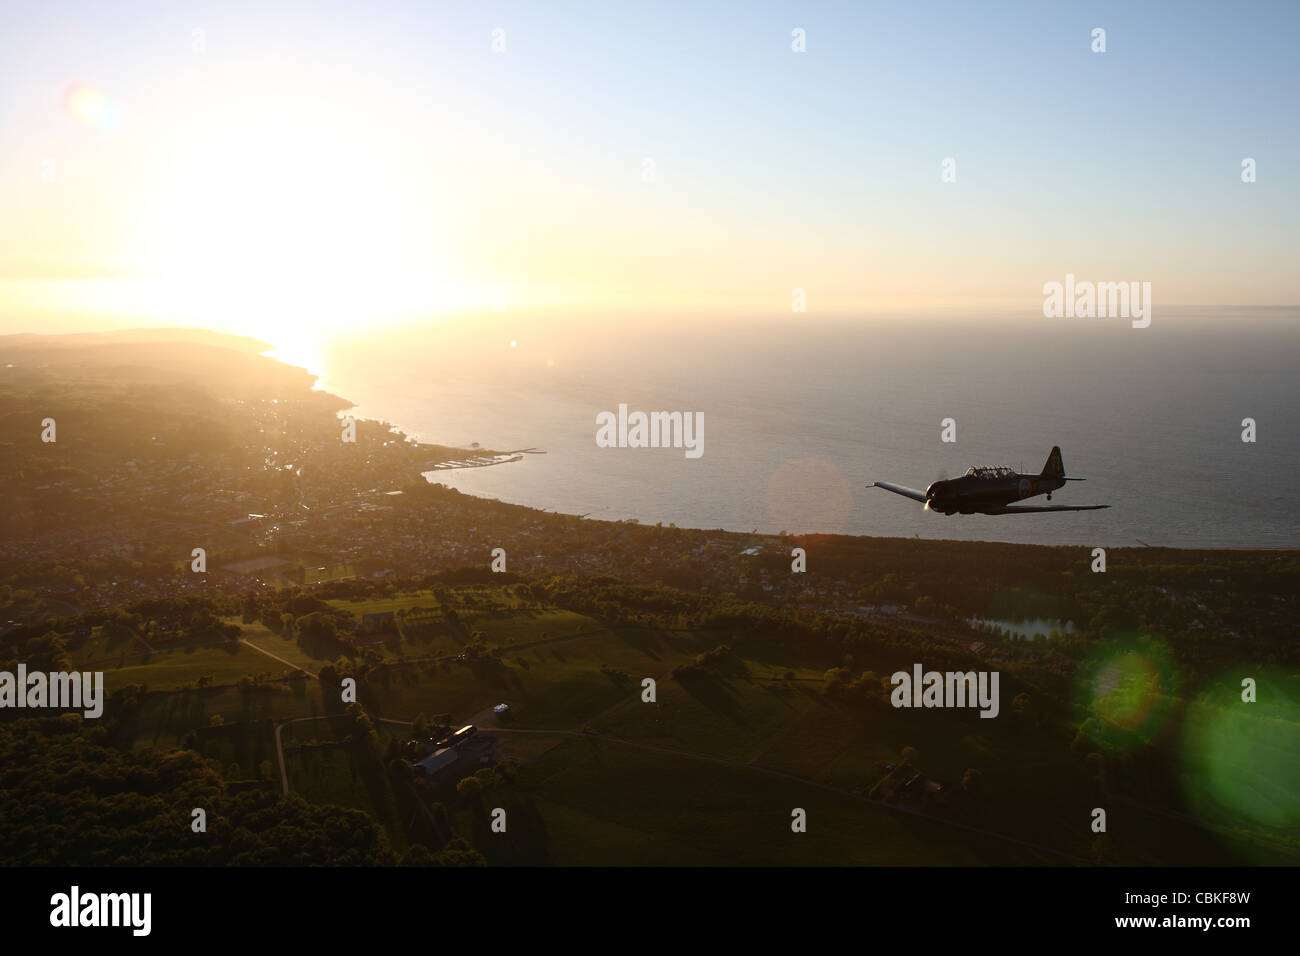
[801,416]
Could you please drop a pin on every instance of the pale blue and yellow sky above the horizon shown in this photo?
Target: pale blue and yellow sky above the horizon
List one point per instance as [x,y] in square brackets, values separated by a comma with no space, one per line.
[297,168]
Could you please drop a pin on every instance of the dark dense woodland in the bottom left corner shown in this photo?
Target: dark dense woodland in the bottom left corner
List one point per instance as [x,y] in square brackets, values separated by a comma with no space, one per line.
[72,799]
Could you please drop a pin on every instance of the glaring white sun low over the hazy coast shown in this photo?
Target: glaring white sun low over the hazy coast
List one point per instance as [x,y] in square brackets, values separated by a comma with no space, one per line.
[292,228]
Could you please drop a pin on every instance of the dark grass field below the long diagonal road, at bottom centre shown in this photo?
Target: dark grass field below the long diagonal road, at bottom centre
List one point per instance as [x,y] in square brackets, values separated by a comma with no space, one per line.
[592,803]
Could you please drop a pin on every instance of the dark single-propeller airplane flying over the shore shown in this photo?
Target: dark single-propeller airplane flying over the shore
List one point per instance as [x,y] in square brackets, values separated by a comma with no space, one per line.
[987,491]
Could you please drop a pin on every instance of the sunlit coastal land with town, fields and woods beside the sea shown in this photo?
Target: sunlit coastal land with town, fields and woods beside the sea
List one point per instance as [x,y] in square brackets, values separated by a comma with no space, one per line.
[228,561]
